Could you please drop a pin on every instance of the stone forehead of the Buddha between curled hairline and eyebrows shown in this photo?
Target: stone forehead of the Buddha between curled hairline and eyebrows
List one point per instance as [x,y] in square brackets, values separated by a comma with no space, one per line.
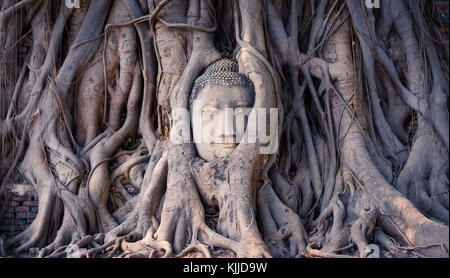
[220,96]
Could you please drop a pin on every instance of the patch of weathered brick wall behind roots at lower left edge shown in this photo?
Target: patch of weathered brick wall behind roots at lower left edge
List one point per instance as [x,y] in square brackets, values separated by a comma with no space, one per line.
[21,211]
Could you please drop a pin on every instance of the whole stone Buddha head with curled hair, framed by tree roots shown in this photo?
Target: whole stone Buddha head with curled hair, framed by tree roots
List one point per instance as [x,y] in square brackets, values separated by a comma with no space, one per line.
[220,99]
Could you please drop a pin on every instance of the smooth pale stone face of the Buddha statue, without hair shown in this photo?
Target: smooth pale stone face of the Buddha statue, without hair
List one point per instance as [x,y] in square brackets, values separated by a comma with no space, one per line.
[218,119]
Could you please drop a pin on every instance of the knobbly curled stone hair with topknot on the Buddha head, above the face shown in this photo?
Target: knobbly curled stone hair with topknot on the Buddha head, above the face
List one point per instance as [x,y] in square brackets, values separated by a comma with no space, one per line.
[224,72]
